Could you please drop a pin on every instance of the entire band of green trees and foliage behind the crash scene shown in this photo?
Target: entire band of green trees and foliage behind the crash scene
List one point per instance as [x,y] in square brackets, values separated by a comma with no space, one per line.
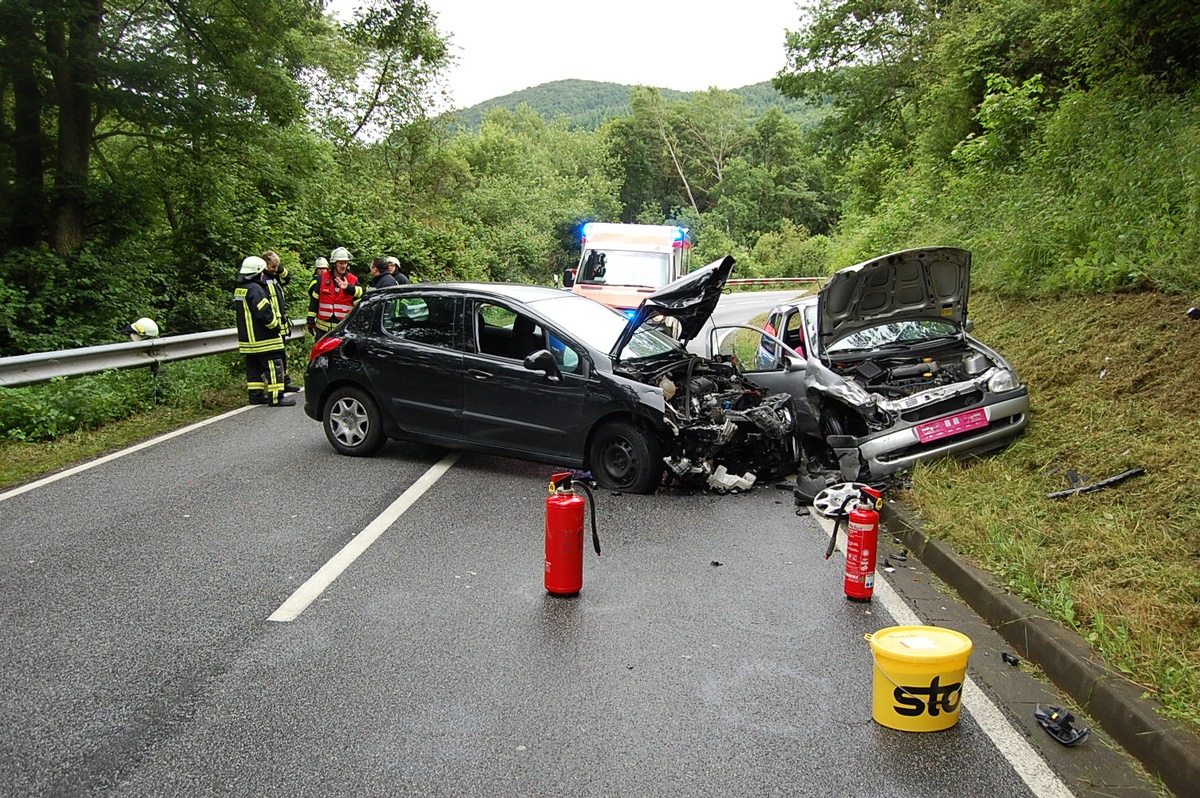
[1055,139]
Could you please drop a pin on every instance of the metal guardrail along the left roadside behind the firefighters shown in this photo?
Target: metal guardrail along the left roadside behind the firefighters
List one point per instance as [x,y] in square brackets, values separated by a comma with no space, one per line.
[40,367]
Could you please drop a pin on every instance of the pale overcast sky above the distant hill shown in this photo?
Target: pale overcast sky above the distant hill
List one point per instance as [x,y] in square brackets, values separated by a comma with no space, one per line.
[505,46]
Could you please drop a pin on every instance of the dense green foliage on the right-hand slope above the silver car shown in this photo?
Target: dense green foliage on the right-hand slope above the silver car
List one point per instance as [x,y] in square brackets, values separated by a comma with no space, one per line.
[1055,139]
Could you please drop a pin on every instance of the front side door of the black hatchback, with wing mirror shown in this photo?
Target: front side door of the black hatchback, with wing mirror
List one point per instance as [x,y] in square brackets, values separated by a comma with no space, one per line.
[511,409]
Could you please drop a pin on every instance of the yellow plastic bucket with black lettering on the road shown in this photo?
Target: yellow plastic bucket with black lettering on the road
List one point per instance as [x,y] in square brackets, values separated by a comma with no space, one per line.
[919,677]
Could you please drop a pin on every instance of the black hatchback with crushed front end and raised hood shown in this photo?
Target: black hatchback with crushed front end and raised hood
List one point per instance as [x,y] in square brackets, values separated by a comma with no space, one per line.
[547,376]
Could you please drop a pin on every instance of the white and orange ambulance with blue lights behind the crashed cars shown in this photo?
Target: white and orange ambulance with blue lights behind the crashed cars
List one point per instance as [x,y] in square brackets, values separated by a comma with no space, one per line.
[623,263]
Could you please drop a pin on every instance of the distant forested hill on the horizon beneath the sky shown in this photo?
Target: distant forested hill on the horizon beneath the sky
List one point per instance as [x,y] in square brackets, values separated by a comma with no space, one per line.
[590,104]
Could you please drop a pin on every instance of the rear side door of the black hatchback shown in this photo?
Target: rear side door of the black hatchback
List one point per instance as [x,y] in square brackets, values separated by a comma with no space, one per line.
[416,362]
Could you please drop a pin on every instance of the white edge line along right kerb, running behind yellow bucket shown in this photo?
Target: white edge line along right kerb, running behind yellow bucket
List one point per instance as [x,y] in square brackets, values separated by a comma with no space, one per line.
[1012,746]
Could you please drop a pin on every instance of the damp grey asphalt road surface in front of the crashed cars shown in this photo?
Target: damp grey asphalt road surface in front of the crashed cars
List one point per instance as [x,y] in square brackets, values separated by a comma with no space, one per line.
[711,652]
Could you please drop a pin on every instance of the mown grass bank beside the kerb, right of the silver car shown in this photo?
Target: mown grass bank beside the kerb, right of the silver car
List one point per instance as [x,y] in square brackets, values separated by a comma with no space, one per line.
[1114,386]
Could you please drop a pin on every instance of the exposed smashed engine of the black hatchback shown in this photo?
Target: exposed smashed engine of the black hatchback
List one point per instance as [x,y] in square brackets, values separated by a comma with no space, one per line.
[718,419]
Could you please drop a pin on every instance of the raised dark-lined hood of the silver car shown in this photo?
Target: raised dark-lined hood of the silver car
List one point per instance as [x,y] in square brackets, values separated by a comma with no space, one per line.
[914,285]
